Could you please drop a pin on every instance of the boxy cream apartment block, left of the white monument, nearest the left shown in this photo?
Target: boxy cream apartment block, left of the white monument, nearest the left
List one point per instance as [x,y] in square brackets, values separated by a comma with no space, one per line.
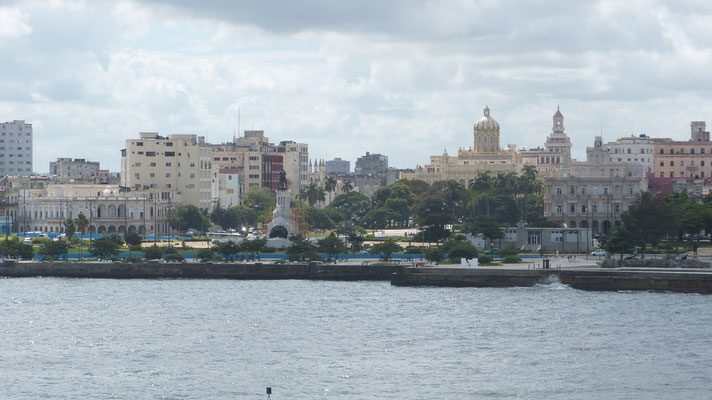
[177,166]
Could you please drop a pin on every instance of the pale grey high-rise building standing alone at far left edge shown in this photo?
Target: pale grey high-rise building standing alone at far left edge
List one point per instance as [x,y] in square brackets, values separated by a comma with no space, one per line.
[15,148]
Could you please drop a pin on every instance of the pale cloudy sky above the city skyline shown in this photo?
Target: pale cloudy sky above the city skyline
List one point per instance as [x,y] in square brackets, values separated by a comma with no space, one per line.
[407,79]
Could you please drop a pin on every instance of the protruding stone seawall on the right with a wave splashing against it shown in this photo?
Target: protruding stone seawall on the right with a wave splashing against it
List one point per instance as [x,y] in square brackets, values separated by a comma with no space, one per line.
[688,281]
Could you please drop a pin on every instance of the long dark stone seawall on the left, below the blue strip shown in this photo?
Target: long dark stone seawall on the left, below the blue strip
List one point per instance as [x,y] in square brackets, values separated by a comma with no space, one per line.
[199,271]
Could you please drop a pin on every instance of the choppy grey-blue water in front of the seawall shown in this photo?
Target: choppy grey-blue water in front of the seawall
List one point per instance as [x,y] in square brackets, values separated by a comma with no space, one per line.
[220,339]
